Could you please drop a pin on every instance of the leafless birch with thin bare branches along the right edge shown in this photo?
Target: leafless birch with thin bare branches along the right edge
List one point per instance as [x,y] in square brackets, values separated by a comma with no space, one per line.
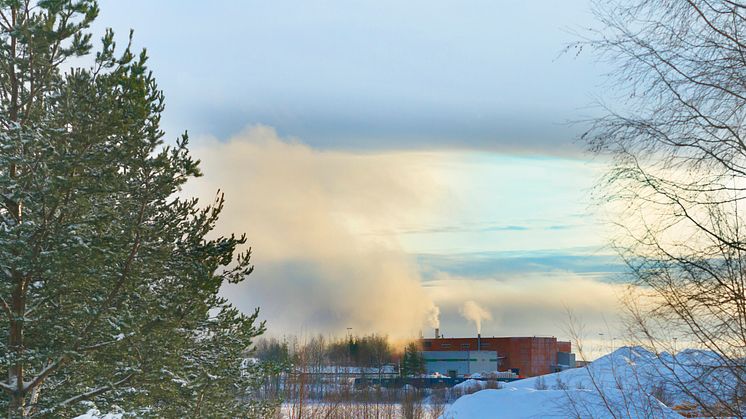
[678,179]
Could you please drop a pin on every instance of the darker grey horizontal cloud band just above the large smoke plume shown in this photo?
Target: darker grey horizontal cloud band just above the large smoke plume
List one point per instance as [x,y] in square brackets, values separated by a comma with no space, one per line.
[370,131]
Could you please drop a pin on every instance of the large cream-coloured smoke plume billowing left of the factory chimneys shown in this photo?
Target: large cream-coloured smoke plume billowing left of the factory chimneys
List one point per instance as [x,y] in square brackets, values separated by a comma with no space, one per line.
[311,218]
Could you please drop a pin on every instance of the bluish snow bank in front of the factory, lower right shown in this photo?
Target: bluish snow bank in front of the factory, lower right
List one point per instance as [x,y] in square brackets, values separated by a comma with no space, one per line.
[630,383]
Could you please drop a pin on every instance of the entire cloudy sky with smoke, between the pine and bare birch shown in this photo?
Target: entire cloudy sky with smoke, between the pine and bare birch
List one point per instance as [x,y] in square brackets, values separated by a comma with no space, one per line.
[430,134]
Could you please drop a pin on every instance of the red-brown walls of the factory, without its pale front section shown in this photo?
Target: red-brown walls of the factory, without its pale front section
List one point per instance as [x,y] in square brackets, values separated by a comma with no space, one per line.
[530,355]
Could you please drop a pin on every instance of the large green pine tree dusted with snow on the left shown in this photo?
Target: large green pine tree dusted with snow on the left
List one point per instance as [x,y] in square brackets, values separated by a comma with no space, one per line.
[108,282]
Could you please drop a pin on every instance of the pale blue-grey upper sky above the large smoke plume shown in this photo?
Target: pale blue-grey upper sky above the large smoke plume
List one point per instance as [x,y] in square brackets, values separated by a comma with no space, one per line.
[369,74]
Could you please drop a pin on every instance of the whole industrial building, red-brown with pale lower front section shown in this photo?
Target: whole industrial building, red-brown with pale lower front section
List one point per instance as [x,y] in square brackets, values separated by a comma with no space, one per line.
[526,356]
